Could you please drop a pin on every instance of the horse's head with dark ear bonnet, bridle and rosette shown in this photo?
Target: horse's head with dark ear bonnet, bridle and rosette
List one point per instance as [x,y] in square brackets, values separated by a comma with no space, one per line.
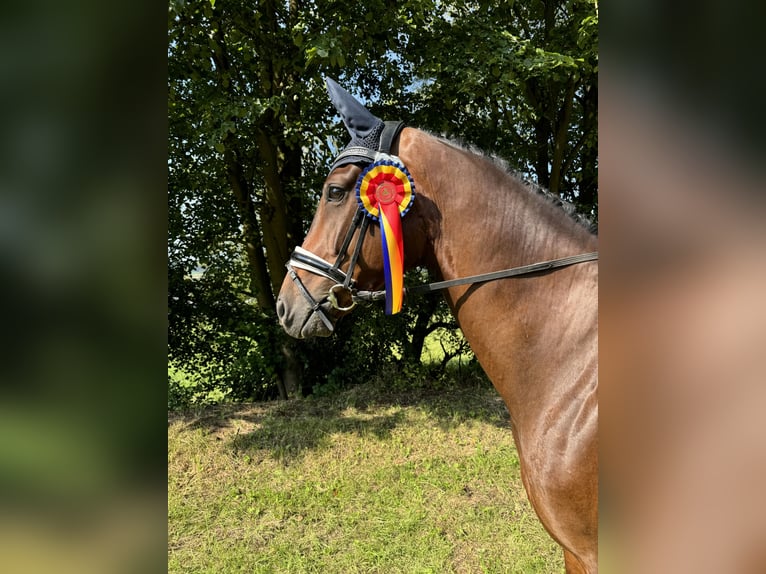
[354,241]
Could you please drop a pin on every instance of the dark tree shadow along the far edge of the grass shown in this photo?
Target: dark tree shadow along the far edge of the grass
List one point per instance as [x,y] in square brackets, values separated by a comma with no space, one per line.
[286,430]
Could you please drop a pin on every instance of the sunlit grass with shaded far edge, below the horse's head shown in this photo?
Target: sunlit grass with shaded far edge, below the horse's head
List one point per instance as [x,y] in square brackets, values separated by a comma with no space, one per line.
[368,480]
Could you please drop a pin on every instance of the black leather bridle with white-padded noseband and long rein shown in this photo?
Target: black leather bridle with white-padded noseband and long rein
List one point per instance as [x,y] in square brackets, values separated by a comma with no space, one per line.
[343,295]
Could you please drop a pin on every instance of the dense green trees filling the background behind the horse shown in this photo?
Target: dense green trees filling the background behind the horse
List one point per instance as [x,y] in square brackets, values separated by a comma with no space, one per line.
[252,133]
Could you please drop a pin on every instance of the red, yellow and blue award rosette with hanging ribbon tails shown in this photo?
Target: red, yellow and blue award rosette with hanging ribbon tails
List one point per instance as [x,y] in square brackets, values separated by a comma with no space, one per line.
[386,191]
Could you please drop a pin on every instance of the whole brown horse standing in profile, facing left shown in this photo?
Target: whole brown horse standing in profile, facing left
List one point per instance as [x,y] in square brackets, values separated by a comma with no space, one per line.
[535,335]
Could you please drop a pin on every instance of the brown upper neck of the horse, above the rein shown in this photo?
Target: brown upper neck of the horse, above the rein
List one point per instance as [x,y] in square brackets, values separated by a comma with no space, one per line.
[482,218]
